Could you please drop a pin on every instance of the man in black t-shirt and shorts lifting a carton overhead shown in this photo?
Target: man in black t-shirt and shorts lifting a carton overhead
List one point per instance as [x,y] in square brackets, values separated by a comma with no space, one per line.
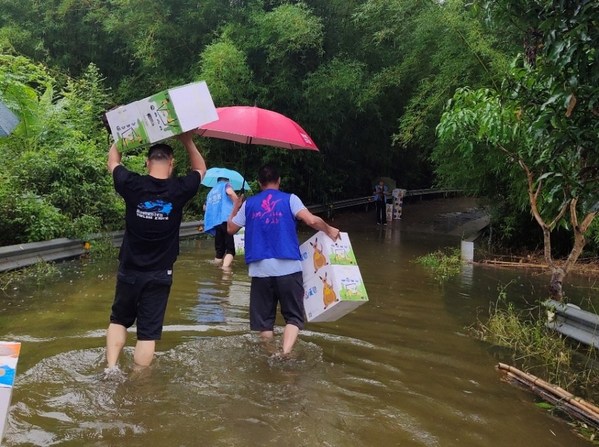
[154,209]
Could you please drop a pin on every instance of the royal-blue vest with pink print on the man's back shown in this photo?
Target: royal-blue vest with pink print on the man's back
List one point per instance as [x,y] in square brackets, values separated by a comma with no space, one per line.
[270,230]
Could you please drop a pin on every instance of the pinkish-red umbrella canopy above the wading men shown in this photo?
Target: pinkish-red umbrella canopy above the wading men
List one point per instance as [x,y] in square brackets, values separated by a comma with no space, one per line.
[253,125]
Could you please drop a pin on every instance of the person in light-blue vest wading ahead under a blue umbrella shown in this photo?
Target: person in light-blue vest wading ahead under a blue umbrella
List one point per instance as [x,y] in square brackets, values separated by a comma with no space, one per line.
[219,204]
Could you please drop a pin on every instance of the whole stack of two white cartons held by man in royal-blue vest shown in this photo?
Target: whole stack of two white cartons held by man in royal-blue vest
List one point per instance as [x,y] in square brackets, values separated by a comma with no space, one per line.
[333,284]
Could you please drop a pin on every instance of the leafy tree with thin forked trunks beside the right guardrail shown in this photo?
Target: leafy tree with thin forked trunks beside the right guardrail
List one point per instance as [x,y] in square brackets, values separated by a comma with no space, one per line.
[543,120]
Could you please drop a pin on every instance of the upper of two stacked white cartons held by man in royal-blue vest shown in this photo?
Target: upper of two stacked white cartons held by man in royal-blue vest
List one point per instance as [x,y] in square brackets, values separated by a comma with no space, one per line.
[320,250]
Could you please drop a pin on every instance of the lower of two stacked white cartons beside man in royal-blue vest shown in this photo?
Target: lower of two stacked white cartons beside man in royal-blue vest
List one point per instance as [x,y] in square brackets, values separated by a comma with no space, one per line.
[333,292]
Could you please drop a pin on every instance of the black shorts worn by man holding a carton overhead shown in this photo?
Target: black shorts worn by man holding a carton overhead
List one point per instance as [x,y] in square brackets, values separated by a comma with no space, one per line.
[142,296]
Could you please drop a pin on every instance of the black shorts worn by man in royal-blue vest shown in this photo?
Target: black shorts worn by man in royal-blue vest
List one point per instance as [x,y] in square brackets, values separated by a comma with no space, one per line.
[265,293]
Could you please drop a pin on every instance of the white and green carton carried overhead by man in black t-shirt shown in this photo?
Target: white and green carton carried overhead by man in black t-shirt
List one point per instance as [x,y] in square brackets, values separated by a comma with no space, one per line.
[160,116]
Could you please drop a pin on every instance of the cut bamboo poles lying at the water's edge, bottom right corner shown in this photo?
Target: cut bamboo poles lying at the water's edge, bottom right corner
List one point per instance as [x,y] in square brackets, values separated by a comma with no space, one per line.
[554,393]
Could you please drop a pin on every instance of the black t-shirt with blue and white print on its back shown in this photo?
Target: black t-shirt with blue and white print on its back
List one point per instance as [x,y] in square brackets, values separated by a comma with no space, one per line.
[154,209]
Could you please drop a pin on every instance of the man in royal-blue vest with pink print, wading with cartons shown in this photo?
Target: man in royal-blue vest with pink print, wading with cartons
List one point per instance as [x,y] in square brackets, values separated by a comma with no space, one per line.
[273,256]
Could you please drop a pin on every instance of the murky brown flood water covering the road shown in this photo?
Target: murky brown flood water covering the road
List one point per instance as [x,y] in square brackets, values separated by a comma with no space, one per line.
[401,370]
